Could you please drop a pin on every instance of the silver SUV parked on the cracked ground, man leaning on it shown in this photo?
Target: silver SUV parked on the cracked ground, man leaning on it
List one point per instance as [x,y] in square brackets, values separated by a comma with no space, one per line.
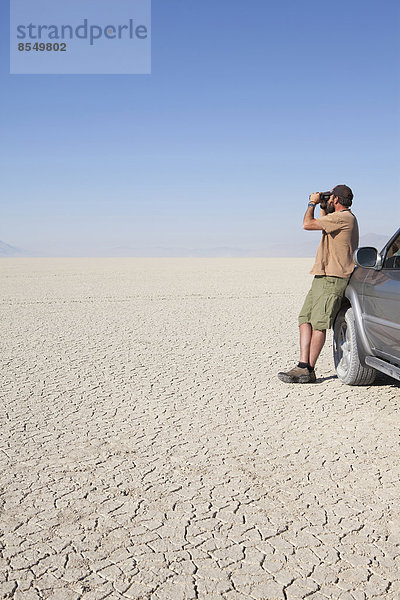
[366,334]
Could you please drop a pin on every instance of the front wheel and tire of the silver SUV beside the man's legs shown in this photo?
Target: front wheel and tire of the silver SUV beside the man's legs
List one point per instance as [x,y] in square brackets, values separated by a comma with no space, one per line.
[345,353]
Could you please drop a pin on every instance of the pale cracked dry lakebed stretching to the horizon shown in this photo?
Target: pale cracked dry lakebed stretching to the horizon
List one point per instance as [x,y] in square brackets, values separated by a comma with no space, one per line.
[149,451]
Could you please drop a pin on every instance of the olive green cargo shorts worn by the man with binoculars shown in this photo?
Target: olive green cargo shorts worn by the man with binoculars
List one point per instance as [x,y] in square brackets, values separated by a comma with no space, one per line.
[323,301]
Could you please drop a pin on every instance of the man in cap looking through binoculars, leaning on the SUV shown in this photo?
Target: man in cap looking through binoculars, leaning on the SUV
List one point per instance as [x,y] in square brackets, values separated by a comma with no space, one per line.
[332,269]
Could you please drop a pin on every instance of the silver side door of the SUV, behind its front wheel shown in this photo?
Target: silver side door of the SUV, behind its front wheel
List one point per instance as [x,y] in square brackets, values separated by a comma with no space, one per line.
[381,305]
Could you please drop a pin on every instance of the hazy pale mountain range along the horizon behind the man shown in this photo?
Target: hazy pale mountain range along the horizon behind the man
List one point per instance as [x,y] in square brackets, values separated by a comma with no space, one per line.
[292,248]
